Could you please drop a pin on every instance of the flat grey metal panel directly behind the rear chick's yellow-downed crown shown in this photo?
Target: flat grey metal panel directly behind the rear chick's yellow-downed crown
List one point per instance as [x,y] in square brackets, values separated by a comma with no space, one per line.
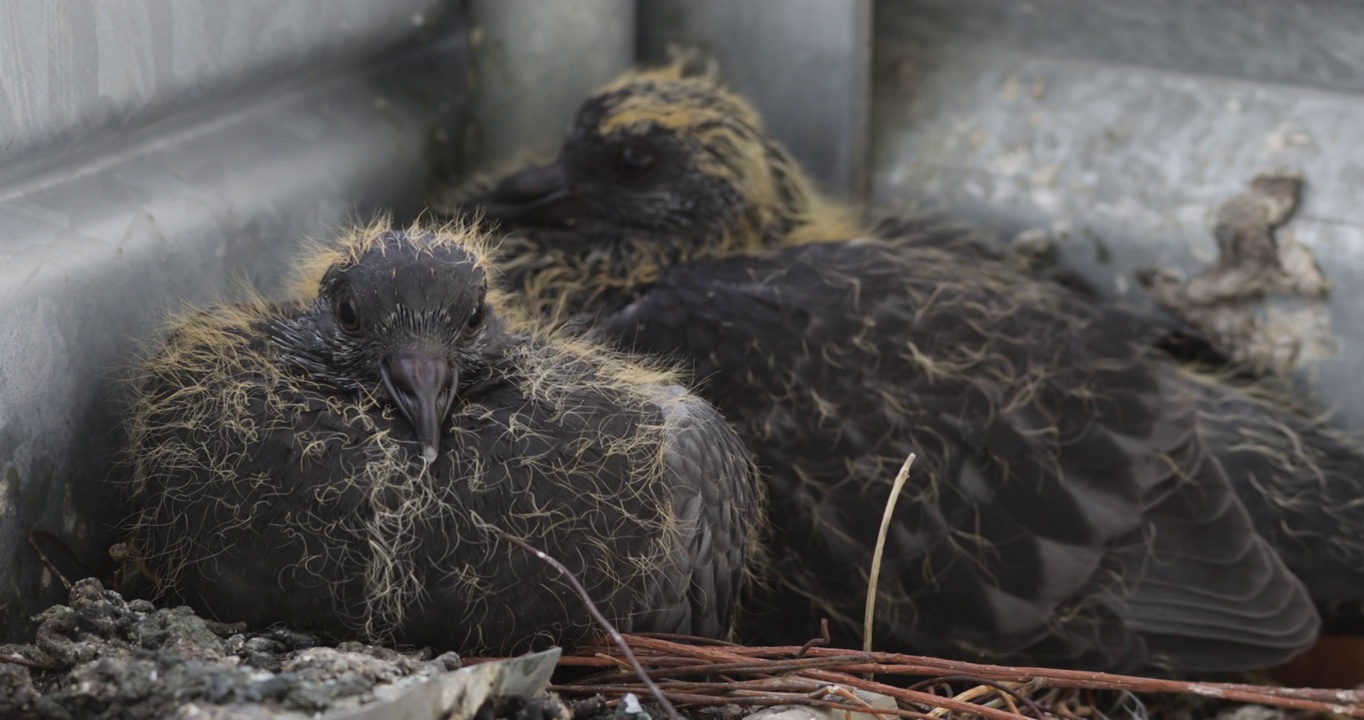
[804,63]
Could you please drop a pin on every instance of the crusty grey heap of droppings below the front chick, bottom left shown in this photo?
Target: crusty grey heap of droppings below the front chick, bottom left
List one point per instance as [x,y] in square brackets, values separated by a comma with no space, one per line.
[102,657]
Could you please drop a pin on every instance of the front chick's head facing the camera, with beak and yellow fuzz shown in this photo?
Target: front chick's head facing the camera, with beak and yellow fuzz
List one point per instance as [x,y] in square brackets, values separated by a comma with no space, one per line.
[402,310]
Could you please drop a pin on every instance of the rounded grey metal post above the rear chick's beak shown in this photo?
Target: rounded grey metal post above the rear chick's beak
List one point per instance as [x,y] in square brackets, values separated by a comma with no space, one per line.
[533,65]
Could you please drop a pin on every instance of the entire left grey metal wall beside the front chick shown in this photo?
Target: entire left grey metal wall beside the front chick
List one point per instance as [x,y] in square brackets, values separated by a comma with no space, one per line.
[167,152]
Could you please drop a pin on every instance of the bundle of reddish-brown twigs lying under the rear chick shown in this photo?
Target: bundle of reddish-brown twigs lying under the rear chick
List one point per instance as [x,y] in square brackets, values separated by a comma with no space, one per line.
[694,673]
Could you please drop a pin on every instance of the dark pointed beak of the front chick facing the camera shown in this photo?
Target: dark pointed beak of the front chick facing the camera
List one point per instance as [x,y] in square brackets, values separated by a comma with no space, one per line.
[422,384]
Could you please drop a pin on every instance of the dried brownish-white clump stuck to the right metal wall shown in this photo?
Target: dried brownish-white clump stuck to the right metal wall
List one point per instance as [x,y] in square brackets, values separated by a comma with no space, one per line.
[1258,261]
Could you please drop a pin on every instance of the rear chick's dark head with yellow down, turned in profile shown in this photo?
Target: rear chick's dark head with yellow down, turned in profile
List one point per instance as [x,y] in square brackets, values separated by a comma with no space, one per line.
[668,160]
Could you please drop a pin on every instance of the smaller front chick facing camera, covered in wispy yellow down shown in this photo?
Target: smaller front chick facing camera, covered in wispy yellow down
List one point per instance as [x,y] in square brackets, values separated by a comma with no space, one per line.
[342,463]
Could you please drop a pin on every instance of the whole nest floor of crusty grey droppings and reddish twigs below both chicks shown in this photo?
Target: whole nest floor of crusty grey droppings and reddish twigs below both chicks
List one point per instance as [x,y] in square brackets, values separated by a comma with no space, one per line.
[102,657]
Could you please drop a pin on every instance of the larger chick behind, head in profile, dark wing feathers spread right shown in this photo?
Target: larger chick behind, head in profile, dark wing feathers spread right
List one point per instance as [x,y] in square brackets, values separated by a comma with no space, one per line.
[1080,497]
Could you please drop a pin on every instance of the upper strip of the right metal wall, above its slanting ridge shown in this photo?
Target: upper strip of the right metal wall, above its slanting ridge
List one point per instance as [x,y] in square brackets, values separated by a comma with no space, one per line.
[1306,43]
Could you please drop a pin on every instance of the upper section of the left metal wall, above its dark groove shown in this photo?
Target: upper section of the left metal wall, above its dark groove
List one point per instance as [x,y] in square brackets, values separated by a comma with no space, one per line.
[80,73]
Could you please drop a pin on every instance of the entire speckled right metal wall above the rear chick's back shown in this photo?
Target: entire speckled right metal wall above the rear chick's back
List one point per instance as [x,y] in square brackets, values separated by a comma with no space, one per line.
[1125,126]
